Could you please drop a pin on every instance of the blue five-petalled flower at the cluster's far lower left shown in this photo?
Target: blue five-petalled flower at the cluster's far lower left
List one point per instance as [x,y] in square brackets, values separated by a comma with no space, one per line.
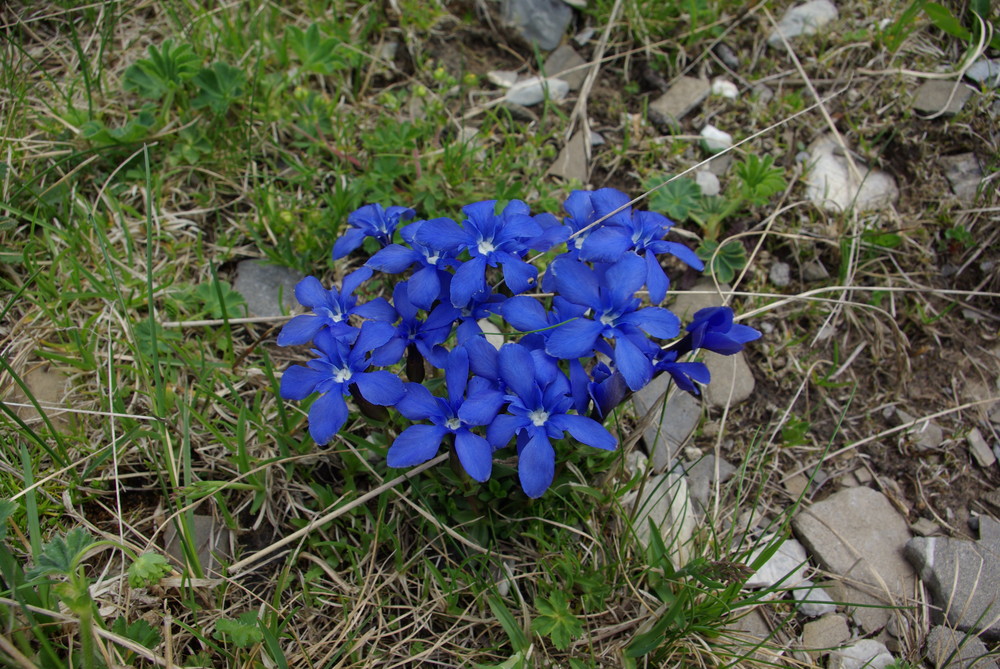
[338,367]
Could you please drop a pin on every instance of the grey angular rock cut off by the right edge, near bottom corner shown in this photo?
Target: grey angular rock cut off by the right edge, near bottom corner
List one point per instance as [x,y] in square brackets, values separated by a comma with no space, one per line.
[962,577]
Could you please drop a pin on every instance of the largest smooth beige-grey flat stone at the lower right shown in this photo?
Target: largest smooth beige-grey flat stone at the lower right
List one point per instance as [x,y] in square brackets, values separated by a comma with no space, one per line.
[858,535]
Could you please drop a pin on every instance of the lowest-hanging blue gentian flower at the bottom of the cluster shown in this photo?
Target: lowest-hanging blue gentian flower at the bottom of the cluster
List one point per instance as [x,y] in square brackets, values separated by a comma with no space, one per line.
[539,402]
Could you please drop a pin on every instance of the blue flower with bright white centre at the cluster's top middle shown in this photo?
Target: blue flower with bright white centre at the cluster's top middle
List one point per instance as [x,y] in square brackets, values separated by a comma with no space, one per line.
[491,240]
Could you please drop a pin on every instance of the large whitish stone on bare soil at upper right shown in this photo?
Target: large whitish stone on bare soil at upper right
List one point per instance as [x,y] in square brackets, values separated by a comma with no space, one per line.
[831,184]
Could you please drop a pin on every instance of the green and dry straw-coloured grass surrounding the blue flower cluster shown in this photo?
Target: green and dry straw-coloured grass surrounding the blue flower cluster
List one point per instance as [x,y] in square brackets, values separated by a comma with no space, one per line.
[146,147]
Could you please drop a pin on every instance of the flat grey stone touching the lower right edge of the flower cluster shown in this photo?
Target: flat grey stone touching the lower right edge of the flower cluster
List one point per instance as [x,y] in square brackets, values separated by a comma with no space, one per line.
[671,425]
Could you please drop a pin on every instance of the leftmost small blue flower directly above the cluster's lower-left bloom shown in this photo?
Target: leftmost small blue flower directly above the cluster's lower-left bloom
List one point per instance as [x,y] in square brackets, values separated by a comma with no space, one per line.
[331,309]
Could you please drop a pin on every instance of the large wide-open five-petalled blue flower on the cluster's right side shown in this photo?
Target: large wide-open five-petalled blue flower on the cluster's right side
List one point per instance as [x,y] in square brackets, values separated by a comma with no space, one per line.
[610,295]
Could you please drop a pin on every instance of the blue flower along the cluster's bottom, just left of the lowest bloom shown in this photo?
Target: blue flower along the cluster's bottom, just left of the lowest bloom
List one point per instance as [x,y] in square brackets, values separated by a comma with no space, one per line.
[469,404]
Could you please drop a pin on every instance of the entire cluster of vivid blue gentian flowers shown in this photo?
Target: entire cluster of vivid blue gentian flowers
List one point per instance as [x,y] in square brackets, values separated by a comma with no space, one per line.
[584,337]
